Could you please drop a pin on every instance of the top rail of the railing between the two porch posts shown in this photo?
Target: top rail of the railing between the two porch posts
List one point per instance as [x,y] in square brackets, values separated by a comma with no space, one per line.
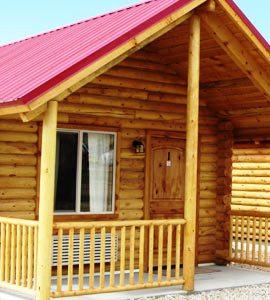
[67,225]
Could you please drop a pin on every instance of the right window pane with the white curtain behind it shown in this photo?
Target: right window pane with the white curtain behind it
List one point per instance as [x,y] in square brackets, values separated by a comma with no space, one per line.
[97,172]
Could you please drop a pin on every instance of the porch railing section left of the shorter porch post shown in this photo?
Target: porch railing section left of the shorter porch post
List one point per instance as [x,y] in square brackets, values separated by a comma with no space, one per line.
[18,253]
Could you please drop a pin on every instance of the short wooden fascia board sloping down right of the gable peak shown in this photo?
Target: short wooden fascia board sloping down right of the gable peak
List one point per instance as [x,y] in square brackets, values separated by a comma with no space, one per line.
[241,24]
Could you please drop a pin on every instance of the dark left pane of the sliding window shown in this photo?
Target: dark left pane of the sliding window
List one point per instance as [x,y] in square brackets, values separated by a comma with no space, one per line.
[66,170]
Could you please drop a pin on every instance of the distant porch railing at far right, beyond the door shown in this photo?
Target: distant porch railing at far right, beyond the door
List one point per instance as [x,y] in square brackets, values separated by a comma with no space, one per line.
[249,238]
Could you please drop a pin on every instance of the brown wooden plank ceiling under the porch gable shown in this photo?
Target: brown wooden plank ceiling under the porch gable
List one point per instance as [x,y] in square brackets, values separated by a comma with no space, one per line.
[225,87]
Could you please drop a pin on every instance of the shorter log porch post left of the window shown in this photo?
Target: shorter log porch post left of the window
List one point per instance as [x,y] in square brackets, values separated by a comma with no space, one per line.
[47,175]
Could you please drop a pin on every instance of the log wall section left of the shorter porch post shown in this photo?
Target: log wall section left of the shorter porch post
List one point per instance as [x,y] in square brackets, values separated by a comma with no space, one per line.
[18,168]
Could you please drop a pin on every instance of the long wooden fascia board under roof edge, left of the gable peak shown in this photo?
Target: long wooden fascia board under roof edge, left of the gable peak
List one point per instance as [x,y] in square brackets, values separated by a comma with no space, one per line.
[86,75]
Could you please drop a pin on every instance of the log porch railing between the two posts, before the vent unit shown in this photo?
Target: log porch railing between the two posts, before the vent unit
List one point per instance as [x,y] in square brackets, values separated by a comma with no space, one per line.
[145,253]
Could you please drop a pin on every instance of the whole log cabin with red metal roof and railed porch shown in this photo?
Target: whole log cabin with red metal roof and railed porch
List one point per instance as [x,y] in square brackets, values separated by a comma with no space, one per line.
[134,146]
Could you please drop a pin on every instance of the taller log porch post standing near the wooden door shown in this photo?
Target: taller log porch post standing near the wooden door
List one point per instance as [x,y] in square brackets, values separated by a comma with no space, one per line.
[191,153]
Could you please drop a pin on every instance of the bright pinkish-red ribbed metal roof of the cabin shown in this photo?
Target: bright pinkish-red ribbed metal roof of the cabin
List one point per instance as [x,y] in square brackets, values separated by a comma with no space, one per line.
[30,67]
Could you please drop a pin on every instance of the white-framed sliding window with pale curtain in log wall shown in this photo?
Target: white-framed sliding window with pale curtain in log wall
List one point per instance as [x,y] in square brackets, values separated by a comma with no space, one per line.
[85,172]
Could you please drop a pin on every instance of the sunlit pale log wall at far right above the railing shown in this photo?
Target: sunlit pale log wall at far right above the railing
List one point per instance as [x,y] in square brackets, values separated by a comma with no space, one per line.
[251,177]
